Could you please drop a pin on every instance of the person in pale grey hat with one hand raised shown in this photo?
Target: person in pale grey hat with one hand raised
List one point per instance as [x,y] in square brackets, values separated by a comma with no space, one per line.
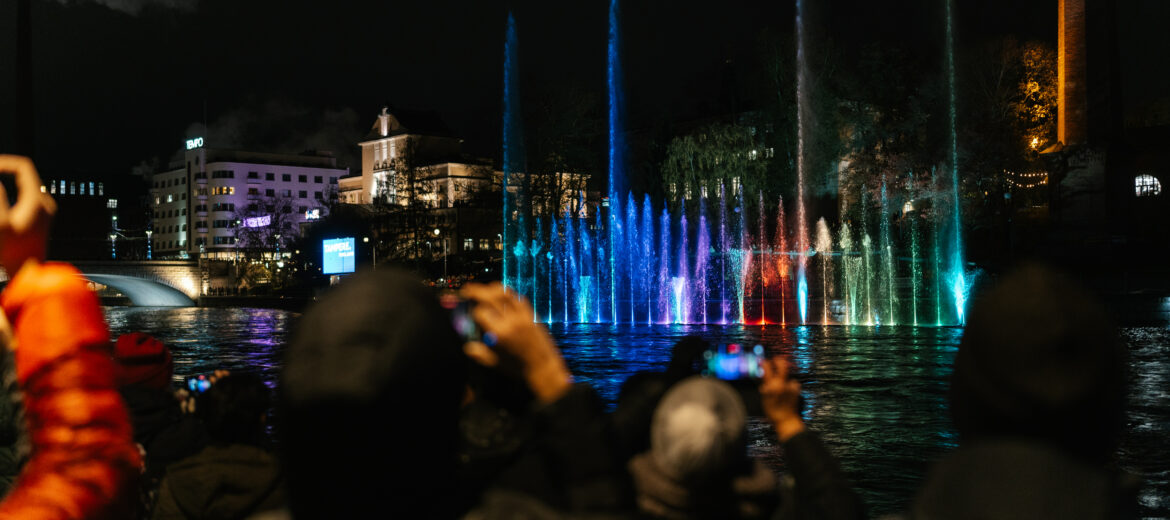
[698,466]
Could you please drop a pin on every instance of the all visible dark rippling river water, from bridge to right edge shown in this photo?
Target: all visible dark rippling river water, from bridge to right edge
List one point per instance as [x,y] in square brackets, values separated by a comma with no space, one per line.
[877,395]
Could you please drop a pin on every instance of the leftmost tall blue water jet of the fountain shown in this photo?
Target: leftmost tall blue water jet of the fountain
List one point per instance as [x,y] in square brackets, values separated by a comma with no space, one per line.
[512,145]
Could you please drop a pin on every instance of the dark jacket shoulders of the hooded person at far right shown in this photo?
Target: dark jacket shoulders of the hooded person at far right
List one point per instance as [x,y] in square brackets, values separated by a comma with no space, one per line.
[1022,480]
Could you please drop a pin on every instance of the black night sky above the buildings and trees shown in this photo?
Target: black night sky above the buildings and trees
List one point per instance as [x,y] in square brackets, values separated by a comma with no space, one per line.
[122,83]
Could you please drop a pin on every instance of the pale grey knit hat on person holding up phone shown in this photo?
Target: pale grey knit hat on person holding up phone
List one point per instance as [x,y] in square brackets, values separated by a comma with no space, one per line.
[699,430]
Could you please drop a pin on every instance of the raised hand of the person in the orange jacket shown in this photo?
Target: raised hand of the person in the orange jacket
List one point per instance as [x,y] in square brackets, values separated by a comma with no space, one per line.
[25,227]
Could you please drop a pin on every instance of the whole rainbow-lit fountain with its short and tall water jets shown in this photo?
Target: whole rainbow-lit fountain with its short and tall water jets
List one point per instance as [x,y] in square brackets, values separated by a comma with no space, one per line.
[728,256]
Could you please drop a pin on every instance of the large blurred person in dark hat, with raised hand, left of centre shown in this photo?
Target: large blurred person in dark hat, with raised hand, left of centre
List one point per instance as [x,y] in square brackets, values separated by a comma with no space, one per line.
[370,402]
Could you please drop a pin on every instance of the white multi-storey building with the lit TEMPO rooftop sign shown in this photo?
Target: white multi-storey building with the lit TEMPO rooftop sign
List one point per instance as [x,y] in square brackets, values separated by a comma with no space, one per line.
[195,204]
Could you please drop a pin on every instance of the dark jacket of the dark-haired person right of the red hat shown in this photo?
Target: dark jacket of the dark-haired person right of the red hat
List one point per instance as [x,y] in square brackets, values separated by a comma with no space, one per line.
[233,482]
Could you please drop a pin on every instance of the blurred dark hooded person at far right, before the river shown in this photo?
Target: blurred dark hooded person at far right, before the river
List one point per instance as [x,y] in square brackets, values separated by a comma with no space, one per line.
[1037,396]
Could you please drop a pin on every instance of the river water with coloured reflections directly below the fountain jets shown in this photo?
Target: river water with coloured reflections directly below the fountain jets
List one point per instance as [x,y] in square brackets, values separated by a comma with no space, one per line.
[878,395]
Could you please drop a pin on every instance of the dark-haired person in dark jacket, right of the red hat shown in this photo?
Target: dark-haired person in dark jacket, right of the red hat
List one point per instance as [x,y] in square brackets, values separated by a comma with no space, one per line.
[233,477]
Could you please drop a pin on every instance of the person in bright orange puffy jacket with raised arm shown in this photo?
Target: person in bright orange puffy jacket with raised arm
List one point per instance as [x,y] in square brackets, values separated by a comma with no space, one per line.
[84,462]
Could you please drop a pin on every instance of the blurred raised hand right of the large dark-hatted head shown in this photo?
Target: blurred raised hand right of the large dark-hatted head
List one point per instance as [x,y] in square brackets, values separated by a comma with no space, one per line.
[508,324]
